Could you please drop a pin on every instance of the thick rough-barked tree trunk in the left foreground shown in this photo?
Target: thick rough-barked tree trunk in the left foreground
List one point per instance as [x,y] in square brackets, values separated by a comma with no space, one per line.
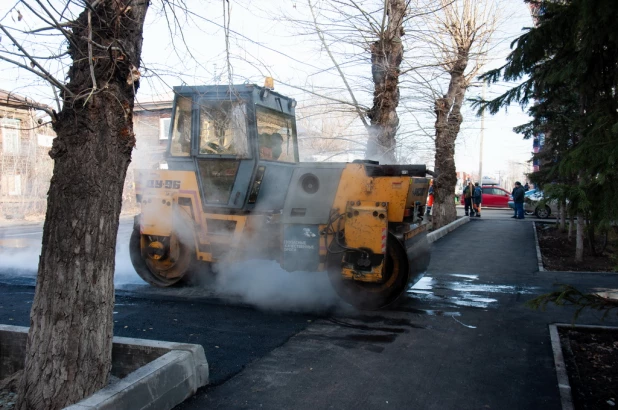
[68,354]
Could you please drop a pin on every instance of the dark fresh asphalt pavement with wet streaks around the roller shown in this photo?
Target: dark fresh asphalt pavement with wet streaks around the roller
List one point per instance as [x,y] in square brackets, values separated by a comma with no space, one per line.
[462,339]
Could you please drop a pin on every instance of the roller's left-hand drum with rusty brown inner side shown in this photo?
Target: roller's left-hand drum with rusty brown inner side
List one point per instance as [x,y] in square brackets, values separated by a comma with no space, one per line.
[159,261]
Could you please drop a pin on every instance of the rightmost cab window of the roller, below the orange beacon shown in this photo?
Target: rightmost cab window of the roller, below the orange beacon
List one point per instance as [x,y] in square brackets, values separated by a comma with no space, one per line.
[276,136]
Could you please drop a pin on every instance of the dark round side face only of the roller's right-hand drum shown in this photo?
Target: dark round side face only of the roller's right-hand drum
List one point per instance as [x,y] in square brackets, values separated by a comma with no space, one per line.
[368,295]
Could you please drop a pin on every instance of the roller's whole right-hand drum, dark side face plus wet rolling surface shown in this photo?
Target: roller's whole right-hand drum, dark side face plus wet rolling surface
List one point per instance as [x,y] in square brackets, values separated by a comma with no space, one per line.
[404,262]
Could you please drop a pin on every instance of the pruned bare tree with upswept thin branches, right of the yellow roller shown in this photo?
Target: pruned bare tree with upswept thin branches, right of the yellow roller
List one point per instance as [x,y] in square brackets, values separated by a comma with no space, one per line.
[460,35]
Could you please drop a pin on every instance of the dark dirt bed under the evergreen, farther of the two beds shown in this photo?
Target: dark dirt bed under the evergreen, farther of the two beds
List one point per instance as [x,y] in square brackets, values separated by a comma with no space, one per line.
[558,252]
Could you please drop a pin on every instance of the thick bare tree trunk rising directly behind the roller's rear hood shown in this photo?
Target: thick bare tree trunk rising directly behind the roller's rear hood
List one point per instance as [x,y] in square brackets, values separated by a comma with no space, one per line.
[386,57]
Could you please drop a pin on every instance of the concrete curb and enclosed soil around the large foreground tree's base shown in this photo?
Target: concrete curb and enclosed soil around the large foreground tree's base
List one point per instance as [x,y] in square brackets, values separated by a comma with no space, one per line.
[177,371]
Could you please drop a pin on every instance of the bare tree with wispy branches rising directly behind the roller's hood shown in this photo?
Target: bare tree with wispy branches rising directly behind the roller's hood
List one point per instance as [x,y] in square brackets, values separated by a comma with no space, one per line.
[358,37]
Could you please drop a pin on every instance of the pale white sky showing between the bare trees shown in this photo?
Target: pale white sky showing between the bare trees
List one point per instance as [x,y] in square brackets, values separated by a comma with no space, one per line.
[265,38]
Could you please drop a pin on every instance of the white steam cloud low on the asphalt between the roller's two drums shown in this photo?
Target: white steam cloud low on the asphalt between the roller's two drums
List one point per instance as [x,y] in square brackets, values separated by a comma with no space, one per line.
[265,285]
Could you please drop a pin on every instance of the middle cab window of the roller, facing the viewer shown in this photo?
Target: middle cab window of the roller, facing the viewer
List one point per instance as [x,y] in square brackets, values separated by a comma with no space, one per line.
[223,129]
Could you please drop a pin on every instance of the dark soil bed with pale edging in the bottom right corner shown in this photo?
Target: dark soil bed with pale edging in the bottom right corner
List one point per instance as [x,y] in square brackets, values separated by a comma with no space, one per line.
[591,357]
